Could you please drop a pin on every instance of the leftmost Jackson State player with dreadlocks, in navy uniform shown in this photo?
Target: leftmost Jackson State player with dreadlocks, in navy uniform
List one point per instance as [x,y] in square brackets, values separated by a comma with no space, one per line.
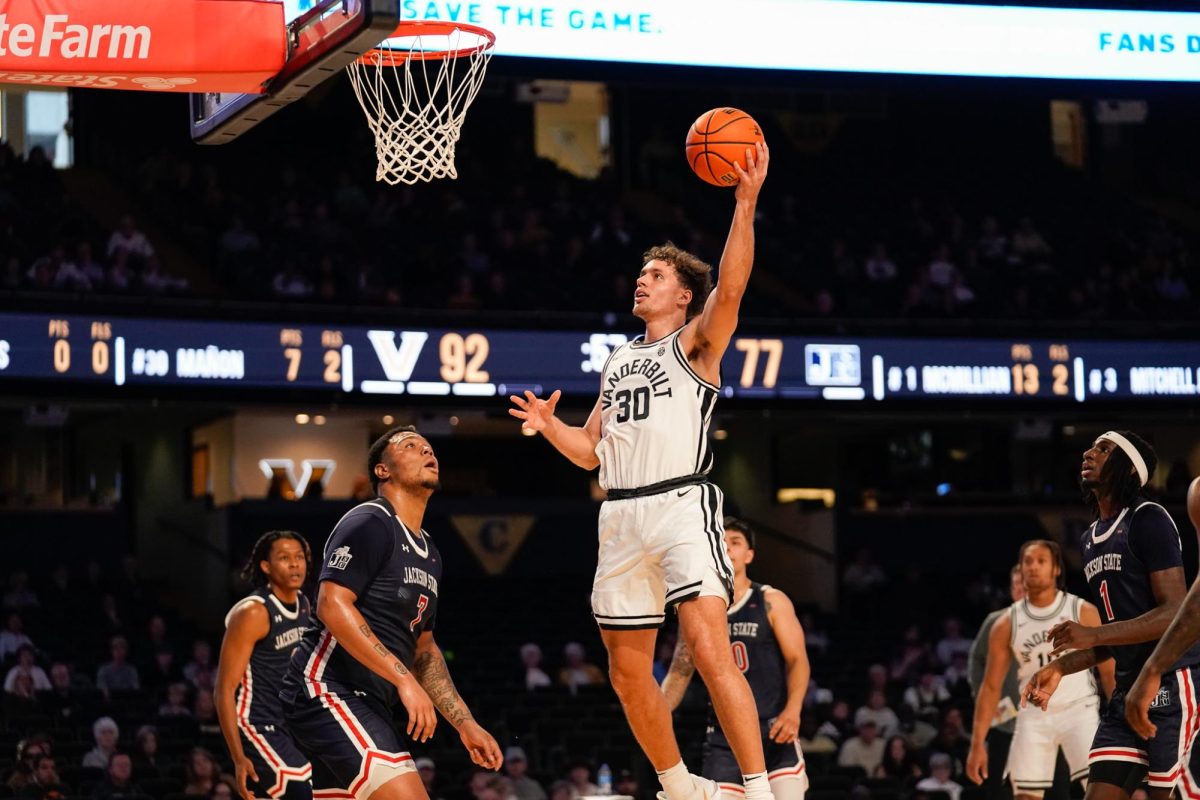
[262,630]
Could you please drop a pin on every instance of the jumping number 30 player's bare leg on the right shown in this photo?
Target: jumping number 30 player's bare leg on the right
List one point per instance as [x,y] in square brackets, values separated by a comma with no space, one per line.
[704,625]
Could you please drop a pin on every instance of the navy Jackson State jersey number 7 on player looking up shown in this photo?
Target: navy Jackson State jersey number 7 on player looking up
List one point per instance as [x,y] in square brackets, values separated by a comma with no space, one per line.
[395,575]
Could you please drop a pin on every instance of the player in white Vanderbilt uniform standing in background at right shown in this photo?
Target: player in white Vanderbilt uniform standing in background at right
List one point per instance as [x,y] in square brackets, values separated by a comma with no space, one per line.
[1024,634]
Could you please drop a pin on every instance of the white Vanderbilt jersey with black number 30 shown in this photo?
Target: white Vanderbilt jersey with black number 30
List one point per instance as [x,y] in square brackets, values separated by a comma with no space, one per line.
[655,416]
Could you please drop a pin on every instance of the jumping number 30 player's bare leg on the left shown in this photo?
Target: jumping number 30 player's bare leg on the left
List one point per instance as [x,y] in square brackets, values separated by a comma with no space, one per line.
[632,672]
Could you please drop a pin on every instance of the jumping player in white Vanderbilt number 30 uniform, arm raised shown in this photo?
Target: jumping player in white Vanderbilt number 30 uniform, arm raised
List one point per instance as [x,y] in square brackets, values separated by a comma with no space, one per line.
[661,528]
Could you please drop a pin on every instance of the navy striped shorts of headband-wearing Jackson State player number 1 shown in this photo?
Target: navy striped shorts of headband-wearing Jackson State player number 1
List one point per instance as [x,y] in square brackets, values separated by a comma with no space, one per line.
[1175,715]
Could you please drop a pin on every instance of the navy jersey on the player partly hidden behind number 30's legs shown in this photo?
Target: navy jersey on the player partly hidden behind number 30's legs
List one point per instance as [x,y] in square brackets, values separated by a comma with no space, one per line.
[758,655]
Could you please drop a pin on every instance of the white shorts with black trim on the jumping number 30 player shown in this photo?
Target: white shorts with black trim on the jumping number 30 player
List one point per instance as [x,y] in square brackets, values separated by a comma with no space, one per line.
[658,551]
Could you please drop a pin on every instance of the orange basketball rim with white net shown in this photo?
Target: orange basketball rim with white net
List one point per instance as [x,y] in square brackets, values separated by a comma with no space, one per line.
[416,89]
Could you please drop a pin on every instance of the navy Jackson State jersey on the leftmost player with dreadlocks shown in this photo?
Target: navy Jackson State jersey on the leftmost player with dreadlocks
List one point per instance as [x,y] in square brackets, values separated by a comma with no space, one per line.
[259,694]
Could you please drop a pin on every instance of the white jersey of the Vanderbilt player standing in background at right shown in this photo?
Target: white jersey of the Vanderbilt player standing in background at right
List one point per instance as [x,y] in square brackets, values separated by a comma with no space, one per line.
[1031,648]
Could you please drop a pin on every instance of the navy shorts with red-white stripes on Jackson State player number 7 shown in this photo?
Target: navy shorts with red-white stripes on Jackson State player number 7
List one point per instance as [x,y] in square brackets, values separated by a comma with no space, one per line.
[352,743]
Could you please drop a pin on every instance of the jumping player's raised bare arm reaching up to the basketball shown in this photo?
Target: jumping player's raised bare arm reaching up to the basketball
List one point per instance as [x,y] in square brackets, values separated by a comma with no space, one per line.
[710,334]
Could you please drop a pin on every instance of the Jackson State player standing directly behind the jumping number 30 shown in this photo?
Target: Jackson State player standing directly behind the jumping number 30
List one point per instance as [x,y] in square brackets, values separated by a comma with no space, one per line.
[769,648]
